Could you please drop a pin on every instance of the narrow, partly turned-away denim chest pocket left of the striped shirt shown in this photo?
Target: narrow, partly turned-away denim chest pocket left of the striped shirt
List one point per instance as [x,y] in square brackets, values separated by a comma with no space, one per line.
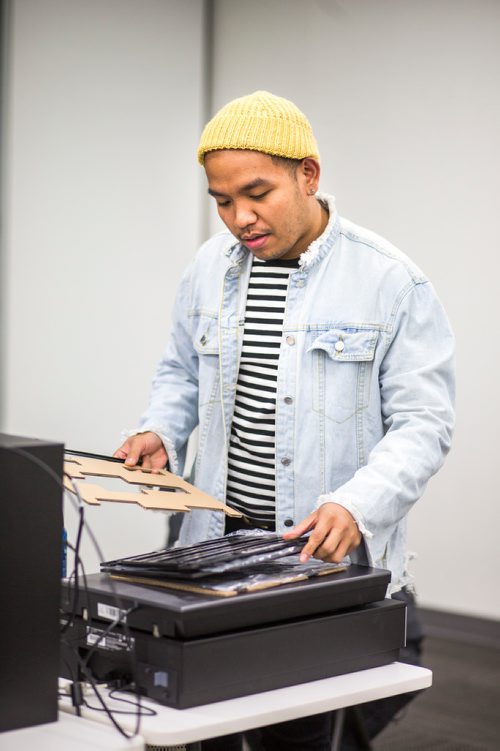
[206,344]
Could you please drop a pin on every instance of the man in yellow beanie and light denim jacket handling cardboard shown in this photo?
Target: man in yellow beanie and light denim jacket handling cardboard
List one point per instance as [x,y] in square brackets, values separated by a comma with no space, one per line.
[314,356]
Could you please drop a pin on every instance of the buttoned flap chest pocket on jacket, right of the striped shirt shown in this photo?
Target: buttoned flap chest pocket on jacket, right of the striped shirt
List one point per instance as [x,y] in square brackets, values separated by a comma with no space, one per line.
[341,366]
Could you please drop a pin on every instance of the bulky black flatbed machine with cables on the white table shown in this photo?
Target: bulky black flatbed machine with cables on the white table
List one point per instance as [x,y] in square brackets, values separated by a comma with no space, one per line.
[184,649]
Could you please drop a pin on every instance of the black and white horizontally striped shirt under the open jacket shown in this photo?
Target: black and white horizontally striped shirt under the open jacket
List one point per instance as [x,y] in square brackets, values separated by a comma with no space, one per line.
[251,484]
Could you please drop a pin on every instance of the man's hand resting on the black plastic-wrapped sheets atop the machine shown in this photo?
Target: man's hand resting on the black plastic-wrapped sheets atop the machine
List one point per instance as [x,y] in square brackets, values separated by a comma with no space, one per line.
[335,534]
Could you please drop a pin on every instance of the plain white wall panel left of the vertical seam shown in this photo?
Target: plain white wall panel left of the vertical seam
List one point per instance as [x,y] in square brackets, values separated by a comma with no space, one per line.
[102,214]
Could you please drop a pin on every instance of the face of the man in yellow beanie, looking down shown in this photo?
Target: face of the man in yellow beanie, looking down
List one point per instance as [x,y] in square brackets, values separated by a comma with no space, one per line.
[266,206]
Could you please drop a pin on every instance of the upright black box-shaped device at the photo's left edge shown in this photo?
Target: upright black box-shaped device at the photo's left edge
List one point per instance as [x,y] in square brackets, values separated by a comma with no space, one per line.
[31,523]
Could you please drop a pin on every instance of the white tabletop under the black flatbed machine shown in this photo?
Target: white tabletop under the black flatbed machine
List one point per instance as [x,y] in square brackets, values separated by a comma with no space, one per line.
[179,726]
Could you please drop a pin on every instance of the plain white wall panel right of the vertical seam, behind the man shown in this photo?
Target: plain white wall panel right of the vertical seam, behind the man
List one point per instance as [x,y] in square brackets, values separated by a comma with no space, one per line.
[403,98]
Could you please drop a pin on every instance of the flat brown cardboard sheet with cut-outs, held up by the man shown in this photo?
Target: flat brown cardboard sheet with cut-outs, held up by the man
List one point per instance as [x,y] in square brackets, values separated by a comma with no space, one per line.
[183,496]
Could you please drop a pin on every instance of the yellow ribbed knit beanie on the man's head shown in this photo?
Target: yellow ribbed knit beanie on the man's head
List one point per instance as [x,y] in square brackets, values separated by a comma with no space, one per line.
[260,122]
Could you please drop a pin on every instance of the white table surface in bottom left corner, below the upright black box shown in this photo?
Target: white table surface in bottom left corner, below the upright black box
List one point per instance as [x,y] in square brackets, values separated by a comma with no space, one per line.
[70,733]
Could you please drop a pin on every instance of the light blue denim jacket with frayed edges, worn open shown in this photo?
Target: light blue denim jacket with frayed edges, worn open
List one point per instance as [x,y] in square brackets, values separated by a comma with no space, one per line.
[364,407]
